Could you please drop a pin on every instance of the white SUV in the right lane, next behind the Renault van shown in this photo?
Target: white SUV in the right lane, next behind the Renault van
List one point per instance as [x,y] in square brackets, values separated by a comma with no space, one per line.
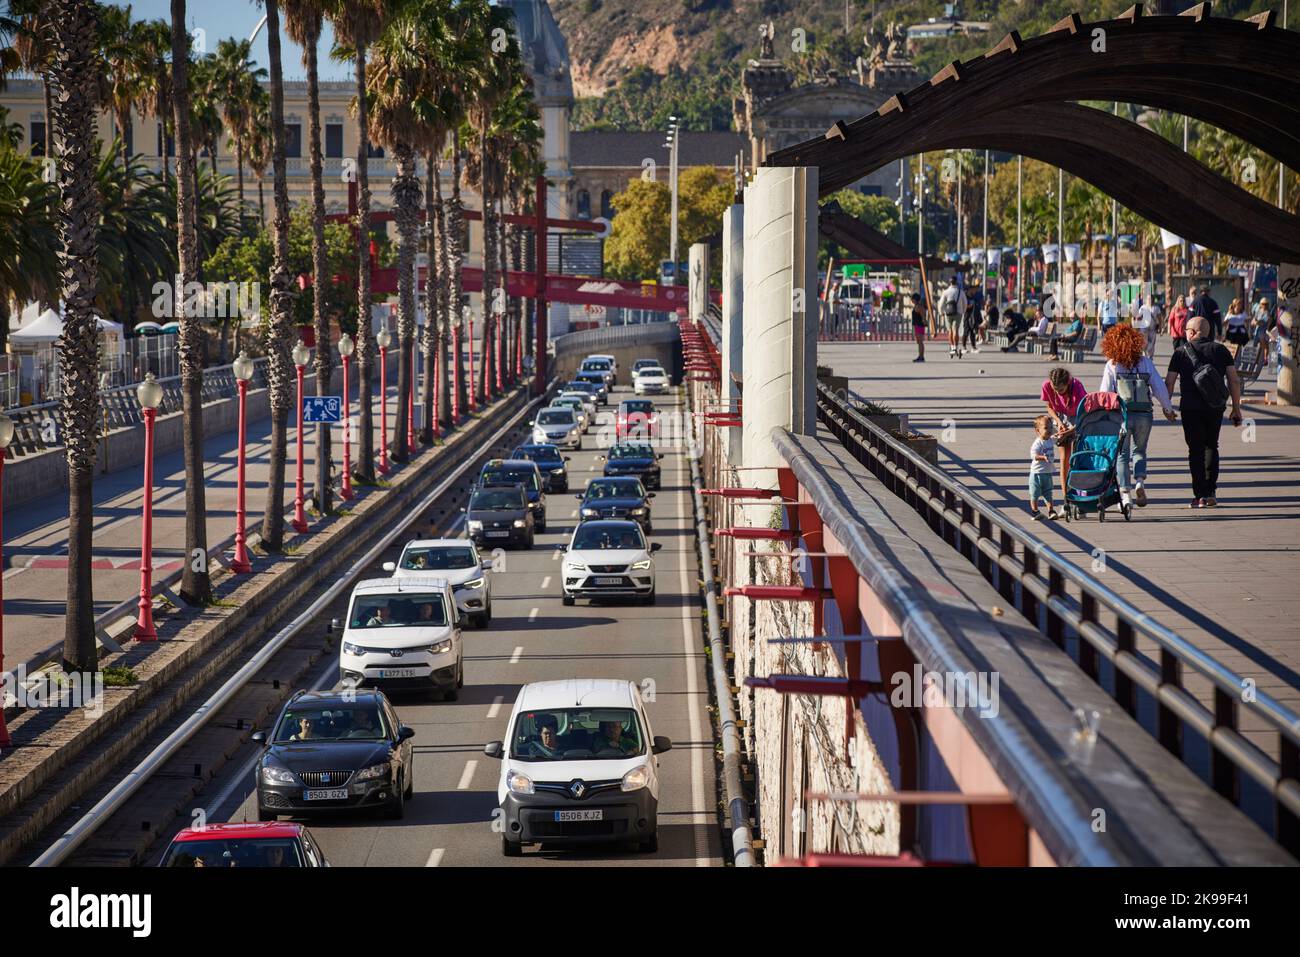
[609,558]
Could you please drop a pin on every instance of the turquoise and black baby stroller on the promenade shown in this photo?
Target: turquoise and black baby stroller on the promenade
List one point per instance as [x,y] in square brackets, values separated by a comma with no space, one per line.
[1100,439]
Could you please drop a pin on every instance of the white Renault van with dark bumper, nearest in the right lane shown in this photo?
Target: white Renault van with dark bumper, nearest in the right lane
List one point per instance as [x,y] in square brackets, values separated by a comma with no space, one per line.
[580,765]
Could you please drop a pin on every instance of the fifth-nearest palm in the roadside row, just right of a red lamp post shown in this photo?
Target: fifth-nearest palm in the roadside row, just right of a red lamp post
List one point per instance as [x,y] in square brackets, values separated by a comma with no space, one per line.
[357,24]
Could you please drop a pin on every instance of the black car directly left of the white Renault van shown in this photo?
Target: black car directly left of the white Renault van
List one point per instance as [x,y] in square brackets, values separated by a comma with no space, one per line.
[336,751]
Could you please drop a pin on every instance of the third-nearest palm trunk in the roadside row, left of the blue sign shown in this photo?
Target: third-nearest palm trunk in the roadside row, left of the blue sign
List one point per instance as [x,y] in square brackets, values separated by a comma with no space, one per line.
[280,375]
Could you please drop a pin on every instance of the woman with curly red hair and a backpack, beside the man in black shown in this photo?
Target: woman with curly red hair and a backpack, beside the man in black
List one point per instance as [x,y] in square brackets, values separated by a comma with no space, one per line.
[1133,376]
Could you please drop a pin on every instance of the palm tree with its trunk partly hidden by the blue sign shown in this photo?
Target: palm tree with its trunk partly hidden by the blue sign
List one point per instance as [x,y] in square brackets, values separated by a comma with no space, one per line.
[304,21]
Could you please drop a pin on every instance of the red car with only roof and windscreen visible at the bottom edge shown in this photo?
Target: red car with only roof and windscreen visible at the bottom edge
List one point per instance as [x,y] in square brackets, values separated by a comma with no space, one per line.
[268,845]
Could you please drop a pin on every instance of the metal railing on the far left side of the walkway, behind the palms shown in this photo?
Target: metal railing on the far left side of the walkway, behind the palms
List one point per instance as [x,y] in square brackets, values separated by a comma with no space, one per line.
[37,428]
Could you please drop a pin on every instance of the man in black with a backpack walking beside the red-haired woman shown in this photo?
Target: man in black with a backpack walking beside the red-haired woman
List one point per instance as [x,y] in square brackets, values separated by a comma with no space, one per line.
[1207,382]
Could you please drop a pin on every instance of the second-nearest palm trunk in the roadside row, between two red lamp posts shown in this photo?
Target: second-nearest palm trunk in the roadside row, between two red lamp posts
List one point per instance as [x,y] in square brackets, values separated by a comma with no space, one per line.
[196,582]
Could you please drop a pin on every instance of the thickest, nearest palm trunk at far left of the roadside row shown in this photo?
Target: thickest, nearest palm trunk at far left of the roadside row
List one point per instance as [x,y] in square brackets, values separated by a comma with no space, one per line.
[77,153]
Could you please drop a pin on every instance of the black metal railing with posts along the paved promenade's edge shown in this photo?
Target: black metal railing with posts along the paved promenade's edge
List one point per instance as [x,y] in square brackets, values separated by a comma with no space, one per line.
[1034,578]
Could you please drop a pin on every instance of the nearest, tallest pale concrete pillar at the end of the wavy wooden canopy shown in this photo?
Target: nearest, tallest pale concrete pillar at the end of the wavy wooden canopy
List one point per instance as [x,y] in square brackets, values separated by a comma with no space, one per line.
[779,310]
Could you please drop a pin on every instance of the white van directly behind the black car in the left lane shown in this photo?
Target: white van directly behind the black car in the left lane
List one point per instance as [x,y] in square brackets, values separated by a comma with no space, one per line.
[402,634]
